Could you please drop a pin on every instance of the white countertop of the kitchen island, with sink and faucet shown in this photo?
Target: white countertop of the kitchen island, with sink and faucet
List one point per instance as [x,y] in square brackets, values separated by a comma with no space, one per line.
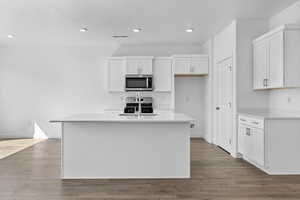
[115,117]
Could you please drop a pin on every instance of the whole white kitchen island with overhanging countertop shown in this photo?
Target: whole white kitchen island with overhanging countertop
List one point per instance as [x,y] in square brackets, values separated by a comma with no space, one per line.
[109,146]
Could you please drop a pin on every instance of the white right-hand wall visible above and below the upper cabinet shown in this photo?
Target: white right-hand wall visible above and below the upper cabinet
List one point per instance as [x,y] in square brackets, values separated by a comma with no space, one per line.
[287,99]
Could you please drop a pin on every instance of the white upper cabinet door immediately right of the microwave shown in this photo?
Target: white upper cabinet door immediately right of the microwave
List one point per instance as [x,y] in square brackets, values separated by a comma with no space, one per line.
[162,70]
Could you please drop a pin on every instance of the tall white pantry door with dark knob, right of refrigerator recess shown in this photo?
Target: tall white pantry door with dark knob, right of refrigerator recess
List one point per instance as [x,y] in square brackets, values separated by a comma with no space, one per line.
[225,106]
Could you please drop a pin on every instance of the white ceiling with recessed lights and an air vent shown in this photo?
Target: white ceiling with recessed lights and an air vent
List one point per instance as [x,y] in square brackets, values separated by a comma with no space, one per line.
[162,21]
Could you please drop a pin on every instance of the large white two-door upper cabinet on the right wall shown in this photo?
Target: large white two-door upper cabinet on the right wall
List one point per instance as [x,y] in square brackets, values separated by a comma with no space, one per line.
[276,58]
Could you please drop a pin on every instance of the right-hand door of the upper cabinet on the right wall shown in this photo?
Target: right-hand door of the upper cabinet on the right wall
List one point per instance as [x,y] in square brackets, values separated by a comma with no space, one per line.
[276,72]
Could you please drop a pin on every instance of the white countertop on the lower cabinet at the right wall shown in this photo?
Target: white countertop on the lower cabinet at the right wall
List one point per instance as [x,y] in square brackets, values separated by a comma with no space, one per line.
[270,114]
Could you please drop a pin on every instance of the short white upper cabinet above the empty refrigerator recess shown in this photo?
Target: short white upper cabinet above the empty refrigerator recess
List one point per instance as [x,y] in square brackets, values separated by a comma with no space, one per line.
[191,64]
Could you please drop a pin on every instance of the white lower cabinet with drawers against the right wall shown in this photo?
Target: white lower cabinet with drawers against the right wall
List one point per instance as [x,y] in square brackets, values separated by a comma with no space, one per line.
[270,143]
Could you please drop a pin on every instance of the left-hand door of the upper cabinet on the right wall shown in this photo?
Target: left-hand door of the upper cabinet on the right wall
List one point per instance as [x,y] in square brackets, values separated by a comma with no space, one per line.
[260,65]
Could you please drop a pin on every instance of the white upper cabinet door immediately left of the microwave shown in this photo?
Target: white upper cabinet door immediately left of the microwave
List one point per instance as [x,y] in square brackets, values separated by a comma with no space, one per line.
[116,79]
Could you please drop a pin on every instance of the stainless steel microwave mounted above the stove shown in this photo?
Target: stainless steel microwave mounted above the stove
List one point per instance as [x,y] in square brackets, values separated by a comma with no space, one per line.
[138,83]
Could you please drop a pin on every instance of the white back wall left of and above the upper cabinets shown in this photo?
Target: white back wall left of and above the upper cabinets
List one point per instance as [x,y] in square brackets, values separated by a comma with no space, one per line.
[39,83]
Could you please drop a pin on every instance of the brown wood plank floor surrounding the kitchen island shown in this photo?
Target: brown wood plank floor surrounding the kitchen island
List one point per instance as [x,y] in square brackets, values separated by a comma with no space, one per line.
[33,174]
